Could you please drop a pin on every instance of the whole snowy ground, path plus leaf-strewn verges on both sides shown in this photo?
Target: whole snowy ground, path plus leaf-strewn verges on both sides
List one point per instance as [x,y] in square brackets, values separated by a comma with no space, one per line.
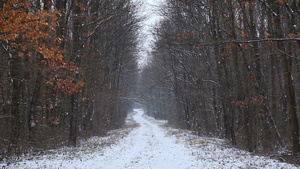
[146,143]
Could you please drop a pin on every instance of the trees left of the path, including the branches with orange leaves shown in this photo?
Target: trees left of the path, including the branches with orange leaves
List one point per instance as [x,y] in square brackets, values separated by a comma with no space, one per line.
[62,69]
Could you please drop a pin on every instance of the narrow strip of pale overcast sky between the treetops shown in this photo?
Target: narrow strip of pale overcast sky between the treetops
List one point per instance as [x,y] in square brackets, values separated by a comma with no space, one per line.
[149,10]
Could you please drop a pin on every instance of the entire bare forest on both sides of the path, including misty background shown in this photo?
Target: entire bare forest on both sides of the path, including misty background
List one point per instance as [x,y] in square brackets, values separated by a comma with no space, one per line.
[225,69]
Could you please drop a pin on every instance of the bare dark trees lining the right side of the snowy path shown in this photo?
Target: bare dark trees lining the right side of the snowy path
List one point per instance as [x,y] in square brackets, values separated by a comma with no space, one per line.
[229,69]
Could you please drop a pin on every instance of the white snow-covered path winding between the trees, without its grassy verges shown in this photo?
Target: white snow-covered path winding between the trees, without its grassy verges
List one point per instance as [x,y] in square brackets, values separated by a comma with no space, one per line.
[147,147]
